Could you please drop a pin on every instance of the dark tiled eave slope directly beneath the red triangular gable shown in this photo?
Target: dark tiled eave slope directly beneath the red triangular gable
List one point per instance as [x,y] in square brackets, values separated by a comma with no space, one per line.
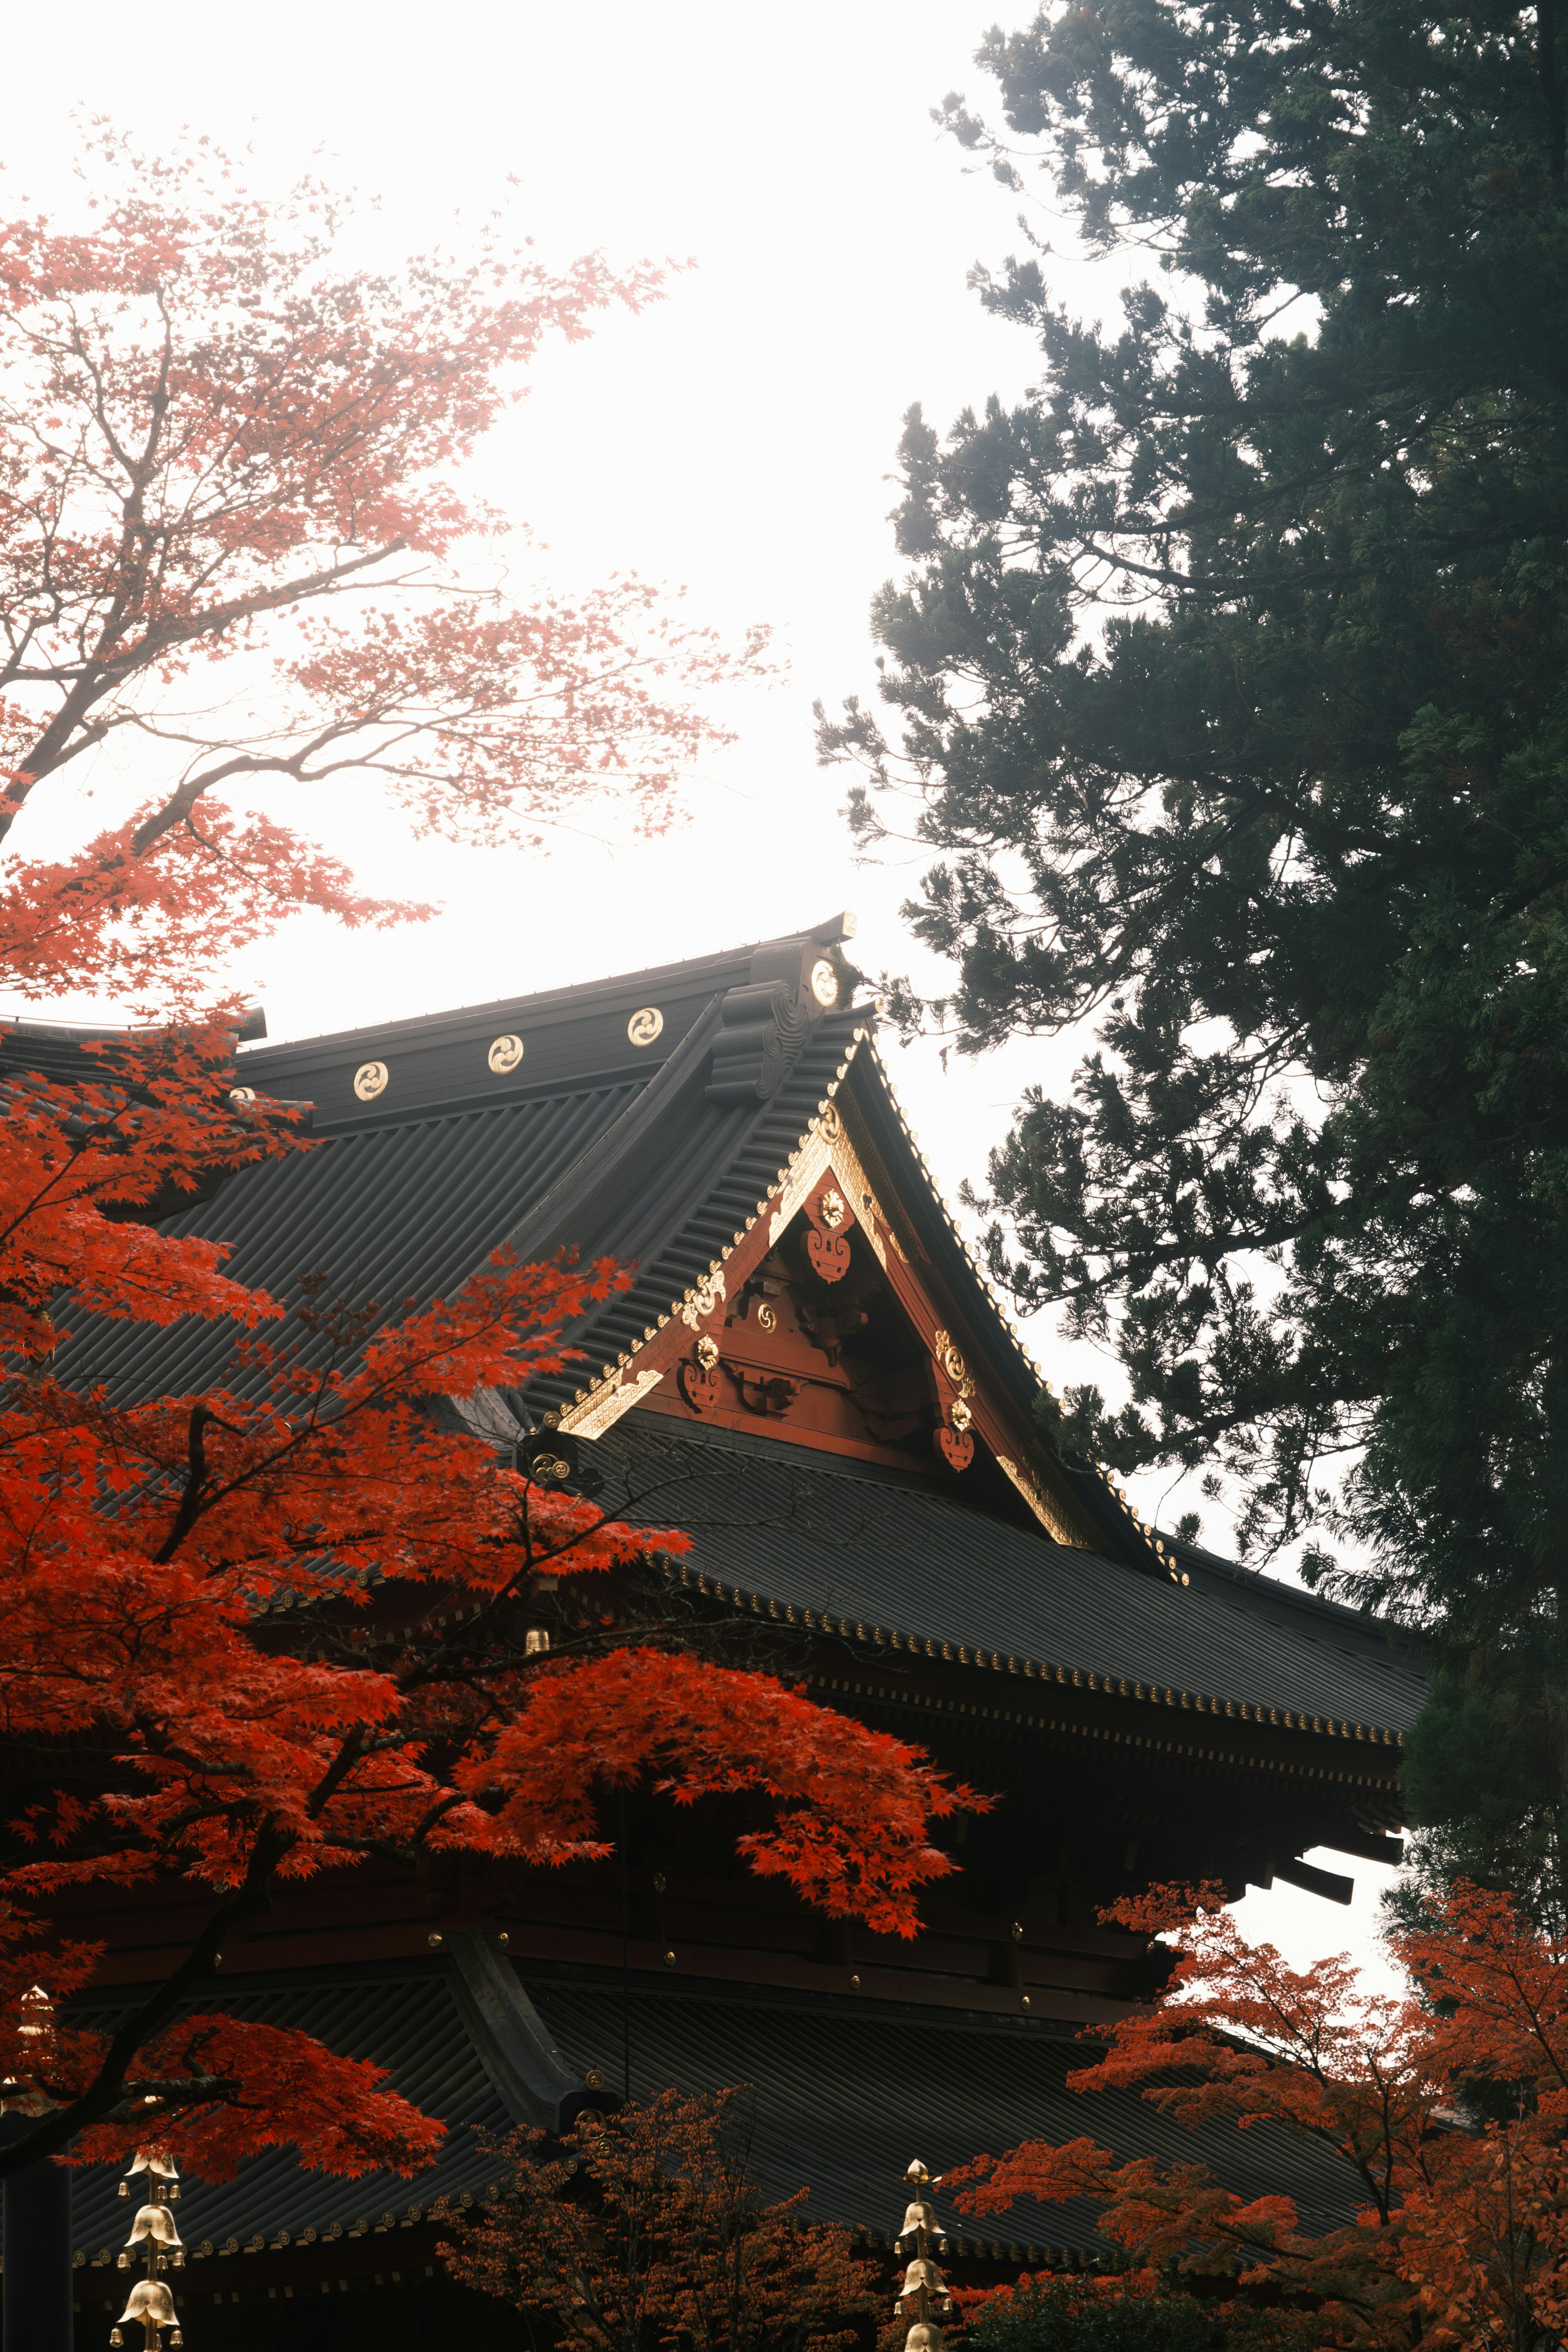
[840,1539]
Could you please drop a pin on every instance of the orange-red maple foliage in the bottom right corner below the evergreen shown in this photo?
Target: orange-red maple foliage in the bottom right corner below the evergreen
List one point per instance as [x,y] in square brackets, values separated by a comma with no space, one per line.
[1447,2109]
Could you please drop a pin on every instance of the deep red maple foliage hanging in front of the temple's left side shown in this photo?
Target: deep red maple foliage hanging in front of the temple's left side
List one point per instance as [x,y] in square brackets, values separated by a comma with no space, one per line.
[229,1601]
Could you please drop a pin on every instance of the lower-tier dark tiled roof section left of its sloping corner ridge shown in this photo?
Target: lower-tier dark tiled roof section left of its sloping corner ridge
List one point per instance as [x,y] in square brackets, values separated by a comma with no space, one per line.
[403,2022]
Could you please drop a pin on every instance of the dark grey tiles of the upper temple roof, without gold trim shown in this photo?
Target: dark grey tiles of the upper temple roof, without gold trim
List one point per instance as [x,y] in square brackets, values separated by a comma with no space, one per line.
[596,1144]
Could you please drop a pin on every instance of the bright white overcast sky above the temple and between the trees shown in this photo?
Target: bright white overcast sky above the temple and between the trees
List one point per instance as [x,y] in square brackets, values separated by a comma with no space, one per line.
[735,441]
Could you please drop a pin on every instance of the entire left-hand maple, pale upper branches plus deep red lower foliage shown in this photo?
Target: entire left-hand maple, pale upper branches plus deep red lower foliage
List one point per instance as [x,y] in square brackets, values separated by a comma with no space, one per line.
[257,1636]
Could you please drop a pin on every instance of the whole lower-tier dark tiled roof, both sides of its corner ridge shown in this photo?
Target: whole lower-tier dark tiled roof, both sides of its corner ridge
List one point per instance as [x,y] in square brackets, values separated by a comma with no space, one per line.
[819,2076]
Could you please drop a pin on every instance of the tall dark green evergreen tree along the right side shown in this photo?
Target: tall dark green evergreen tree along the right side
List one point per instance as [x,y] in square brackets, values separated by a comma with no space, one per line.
[1228,686]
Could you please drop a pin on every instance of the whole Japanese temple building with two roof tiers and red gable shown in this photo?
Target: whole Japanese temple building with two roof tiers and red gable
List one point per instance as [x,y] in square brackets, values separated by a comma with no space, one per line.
[822,1387]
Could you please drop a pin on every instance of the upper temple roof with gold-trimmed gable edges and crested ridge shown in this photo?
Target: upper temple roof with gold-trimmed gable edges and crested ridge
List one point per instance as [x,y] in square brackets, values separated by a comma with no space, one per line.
[683,1118]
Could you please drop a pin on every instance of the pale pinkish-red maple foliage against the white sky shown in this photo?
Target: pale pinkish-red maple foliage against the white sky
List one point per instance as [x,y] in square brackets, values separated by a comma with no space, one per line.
[236,552]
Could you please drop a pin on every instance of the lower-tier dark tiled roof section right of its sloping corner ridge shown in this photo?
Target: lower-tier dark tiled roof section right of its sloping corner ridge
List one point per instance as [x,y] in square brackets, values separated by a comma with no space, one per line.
[847,2099]
